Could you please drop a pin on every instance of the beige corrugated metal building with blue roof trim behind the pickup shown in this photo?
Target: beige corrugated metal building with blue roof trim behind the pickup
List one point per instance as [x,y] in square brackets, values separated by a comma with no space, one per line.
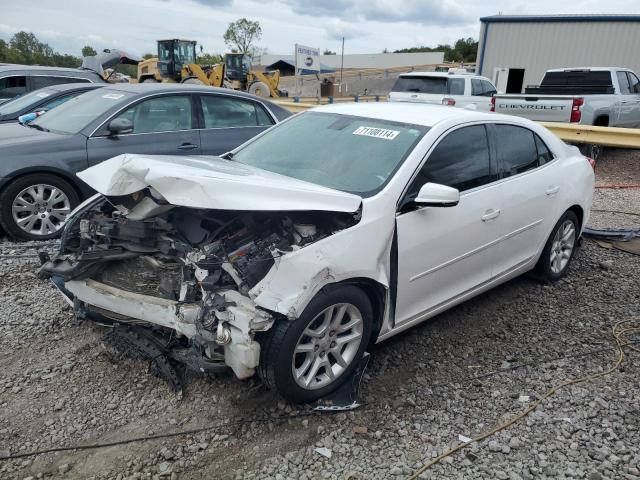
[515,50]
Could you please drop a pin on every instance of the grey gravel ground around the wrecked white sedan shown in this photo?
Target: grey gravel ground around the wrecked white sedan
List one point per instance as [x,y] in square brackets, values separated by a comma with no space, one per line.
[462,373]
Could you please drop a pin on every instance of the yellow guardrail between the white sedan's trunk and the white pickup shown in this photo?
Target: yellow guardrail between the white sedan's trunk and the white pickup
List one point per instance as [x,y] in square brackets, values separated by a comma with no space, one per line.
[605,136]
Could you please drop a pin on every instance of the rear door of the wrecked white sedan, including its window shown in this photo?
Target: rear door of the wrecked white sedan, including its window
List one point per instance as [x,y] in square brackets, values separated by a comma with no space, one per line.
[530,189]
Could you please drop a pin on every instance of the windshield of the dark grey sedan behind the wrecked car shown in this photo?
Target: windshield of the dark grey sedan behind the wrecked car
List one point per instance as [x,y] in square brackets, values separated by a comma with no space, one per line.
[75,114]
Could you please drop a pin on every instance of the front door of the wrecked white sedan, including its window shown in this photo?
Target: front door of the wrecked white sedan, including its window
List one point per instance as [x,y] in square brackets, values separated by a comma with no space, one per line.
[446,252]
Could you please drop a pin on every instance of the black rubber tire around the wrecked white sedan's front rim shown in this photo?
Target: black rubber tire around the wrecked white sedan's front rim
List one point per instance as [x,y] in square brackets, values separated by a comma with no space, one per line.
[278,344]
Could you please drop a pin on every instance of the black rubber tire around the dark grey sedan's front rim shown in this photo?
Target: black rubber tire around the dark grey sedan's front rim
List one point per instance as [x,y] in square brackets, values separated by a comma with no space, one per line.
[13,190]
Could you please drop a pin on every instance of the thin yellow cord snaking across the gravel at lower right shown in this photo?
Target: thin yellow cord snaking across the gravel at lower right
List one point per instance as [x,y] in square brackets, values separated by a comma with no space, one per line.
[620,329]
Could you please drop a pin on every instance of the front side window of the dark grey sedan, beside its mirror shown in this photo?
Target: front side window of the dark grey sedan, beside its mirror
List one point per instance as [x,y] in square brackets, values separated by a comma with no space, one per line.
[161,114]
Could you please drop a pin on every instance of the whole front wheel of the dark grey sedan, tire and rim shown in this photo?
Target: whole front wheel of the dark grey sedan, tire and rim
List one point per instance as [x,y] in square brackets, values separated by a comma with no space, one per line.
[35,207]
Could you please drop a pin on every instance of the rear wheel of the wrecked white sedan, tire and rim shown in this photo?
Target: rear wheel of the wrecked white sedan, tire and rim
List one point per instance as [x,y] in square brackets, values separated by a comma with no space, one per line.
[560,248]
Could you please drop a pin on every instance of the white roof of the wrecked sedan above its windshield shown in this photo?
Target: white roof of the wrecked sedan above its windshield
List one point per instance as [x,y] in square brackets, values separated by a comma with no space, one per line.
[415,113]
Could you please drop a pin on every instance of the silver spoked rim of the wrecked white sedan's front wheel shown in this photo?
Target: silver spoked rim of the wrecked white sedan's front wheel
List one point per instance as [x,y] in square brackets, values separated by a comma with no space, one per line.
[327,346]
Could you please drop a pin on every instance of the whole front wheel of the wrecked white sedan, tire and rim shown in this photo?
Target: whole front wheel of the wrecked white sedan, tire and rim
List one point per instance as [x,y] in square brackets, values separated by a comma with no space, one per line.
[308,358]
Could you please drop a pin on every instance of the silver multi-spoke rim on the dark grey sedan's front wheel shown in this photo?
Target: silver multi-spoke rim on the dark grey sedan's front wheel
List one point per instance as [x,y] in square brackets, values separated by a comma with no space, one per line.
[40,209]
